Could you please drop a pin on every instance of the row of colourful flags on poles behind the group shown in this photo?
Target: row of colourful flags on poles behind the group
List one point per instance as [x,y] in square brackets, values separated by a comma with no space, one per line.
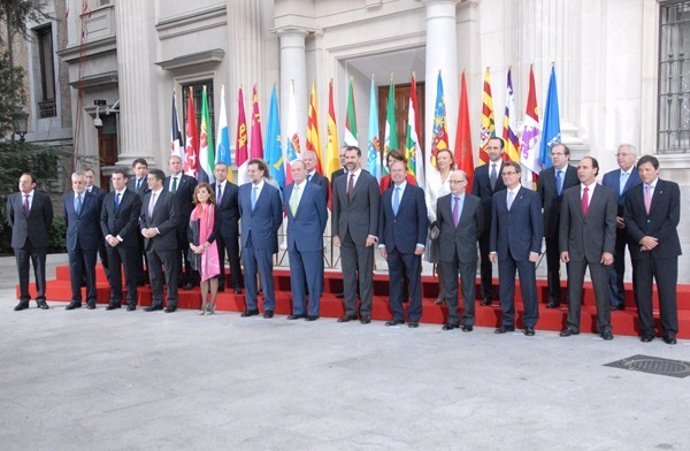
[529,146]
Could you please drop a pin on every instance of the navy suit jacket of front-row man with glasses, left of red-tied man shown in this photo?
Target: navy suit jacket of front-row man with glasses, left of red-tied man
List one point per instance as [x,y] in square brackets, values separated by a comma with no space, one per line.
[519,231]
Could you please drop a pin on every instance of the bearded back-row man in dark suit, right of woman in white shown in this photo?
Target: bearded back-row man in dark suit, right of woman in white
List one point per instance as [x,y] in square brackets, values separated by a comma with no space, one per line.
[487,182]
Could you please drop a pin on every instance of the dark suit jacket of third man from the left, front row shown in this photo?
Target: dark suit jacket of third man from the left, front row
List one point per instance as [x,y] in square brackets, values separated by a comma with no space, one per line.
[125,221]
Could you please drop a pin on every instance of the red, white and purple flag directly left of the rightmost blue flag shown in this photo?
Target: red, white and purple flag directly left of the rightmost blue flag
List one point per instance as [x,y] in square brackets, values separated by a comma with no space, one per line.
[529,144]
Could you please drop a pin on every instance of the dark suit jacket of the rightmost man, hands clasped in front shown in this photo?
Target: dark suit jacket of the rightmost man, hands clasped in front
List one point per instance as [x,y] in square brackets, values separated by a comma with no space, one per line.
[661,222]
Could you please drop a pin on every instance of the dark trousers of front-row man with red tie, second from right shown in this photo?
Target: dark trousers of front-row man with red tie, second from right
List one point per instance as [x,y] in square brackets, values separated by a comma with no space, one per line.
[600,281]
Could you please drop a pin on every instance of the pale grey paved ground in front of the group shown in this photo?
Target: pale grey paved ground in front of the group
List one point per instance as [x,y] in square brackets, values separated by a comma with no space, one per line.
[135,380]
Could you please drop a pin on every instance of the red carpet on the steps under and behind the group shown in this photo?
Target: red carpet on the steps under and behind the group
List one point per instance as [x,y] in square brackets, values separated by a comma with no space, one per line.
[624,322]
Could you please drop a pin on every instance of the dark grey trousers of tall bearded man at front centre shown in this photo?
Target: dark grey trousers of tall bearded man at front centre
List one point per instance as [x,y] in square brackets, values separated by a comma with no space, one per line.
[356,261]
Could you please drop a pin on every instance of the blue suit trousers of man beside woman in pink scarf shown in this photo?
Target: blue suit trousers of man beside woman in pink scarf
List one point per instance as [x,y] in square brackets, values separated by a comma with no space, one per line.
[260,260]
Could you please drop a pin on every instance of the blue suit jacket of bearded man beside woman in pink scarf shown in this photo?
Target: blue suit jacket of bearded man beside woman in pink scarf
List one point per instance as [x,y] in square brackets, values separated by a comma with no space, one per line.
[261,223]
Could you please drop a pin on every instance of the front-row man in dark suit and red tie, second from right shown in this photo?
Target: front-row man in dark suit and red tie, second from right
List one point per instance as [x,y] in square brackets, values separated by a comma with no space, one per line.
[588,239]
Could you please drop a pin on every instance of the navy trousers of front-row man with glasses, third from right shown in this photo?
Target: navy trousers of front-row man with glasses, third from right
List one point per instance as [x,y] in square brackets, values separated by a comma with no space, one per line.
[528,289]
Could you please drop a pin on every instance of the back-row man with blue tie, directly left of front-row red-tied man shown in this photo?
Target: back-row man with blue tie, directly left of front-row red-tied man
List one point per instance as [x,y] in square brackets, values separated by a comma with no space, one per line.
[550,186]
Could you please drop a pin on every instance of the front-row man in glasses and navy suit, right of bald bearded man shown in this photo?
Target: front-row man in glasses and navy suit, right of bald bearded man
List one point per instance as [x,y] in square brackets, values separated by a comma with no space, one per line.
[517,229]
